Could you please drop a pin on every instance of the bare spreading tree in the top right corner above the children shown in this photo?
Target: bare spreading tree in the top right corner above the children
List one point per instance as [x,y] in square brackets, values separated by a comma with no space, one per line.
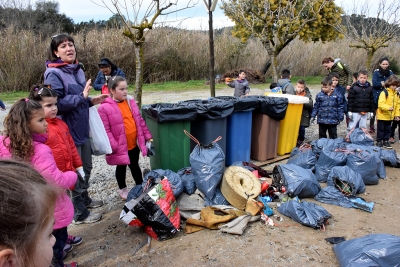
[369,30]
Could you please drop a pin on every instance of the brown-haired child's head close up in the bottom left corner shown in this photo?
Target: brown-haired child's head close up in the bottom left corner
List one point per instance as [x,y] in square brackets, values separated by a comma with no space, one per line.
[26,217]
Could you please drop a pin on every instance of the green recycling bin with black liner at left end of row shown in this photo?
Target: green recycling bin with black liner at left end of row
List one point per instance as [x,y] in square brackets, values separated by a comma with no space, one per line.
[166,123]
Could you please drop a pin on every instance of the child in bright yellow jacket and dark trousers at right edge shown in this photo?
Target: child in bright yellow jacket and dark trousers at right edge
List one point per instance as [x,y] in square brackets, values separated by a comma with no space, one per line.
[388,110]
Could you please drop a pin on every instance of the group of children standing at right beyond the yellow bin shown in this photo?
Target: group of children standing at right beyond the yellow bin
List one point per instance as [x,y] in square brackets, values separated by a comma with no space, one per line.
[358,102]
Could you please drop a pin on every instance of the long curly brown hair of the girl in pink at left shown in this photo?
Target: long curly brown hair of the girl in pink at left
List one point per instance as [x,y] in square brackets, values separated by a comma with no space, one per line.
[18,136]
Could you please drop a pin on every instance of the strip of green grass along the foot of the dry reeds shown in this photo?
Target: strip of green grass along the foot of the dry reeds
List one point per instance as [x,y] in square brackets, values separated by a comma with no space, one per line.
[169,86]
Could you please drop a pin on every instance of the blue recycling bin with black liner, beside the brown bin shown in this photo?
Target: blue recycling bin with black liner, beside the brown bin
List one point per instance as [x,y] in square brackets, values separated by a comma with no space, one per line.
[239,125]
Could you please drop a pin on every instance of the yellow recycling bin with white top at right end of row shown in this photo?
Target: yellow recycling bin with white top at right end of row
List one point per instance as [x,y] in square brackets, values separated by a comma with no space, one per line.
[289,126]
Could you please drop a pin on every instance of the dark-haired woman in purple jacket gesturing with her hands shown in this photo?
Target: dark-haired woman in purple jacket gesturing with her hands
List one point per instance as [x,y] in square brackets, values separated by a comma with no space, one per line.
[67,79]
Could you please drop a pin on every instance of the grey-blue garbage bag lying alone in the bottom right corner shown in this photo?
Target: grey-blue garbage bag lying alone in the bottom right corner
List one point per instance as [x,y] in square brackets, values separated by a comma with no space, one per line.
[371,250]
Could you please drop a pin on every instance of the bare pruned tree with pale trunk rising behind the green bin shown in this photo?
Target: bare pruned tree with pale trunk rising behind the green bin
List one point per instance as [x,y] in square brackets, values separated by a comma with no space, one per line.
[139,17]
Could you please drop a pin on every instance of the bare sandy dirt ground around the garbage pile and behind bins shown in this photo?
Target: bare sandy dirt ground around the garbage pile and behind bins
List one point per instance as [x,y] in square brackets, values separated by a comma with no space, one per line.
[111,243]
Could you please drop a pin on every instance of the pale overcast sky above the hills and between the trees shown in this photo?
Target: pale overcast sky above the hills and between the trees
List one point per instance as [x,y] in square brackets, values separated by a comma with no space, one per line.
[194,18]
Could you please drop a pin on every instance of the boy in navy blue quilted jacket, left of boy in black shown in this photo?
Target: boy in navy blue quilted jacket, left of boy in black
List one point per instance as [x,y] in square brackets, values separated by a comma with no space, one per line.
[329,109]
